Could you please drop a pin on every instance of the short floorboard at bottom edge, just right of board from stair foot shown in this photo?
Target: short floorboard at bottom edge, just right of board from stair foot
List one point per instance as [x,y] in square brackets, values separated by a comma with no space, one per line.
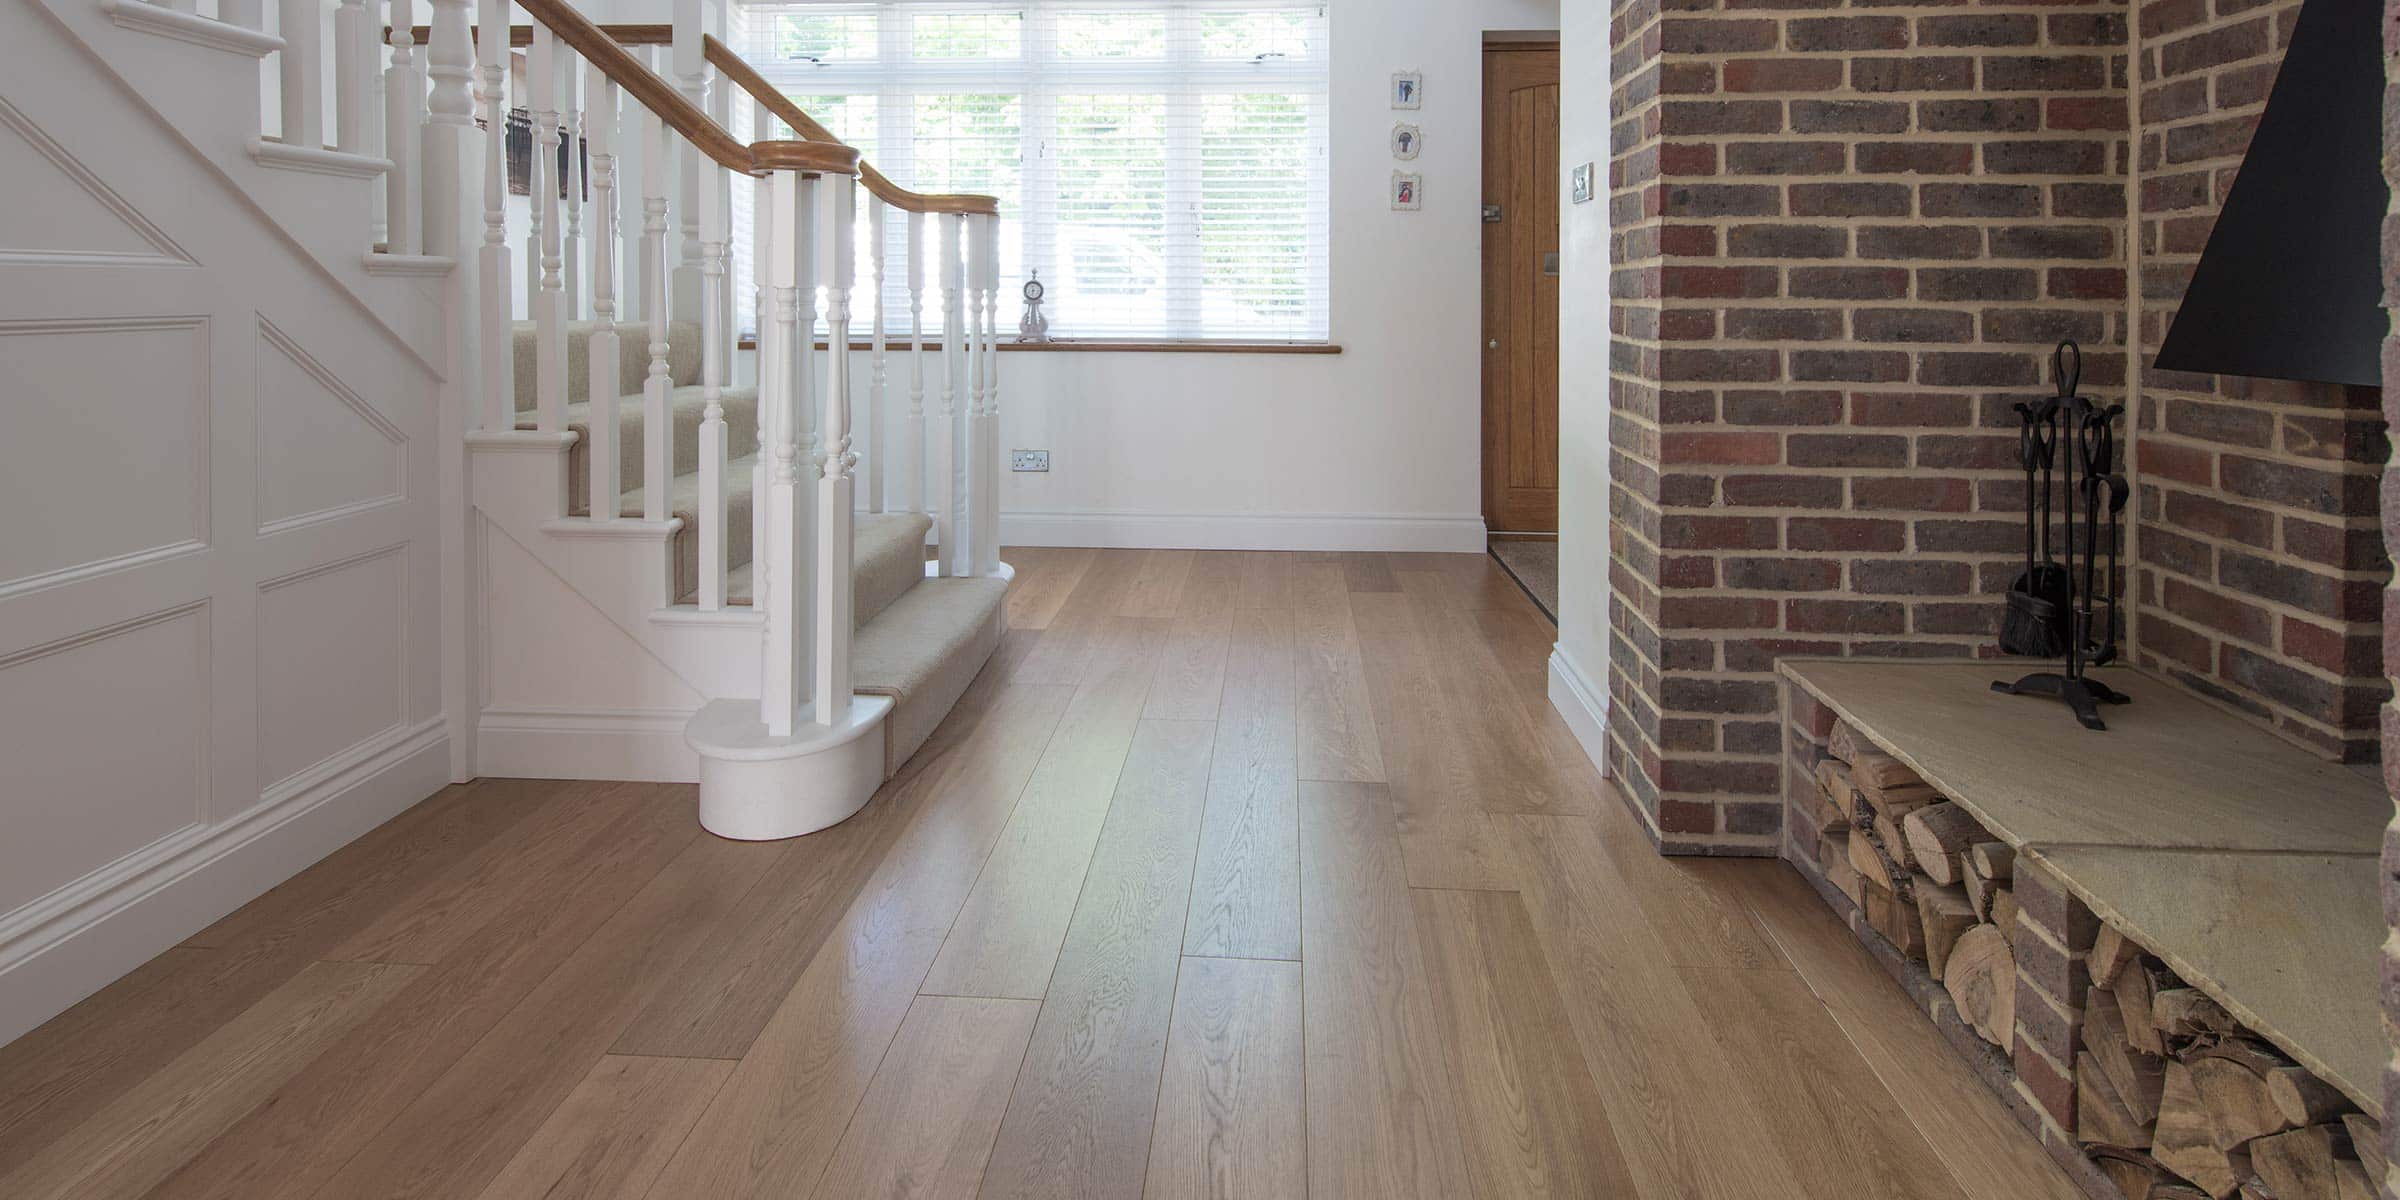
[928,1122]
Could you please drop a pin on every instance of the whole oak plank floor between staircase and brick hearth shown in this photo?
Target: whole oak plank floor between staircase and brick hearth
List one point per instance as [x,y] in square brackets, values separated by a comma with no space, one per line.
[1235,875]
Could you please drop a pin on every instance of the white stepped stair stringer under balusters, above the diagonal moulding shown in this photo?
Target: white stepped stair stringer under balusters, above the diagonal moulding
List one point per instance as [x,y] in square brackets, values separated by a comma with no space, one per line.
[620,568]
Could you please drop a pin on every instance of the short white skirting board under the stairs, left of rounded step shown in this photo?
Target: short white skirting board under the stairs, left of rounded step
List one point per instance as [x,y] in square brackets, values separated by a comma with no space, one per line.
[584,745]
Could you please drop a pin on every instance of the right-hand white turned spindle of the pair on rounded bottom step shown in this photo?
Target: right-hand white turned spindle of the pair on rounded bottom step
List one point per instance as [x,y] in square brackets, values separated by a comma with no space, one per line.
[836,496]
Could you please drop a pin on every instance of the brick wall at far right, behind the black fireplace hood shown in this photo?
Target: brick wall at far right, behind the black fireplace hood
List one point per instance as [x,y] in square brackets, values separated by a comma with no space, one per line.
[2260,556]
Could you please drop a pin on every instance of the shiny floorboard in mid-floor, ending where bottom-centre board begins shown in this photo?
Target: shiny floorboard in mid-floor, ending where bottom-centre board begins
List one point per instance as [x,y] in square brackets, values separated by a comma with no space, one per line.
[1247,884]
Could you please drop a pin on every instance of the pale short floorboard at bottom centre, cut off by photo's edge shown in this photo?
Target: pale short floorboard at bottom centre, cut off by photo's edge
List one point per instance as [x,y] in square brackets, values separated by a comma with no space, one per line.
[1235,1103]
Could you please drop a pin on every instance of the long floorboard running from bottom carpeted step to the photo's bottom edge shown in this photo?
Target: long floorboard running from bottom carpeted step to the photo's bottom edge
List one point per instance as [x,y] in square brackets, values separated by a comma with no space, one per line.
[776,1122]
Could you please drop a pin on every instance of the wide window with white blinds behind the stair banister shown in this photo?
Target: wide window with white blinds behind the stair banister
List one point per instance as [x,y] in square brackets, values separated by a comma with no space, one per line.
[1160,162]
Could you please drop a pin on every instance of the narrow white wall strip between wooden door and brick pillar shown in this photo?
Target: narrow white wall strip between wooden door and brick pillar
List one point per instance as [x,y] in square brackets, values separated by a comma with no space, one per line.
[1583,349]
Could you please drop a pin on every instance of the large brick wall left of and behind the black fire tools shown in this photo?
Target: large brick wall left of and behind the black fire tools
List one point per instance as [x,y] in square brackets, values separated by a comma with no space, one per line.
[1852,236]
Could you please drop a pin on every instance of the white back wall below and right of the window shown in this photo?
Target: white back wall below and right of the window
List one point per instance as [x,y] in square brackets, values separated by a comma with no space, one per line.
[1369,450]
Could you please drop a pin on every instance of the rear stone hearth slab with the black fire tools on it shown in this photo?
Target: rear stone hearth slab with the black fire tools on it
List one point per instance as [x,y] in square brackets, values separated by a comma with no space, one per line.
[2168,774]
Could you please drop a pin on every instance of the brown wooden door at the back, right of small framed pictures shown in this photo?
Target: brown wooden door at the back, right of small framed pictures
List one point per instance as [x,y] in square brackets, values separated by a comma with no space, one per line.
[1520,289]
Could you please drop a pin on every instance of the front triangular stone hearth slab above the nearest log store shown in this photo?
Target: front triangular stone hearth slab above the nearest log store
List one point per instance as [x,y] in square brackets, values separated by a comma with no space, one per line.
[2284,942]
